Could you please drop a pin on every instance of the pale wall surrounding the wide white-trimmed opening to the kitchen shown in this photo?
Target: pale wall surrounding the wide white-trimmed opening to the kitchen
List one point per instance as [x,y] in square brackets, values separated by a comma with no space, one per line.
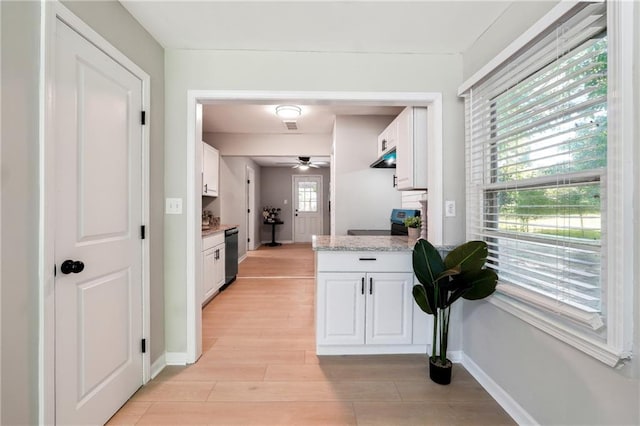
[293,71]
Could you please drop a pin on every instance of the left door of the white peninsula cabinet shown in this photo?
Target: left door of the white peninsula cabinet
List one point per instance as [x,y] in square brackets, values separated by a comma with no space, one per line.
[341,308]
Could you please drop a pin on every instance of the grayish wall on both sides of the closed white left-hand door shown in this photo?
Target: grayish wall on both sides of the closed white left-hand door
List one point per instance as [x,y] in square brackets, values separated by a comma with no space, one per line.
[20,189]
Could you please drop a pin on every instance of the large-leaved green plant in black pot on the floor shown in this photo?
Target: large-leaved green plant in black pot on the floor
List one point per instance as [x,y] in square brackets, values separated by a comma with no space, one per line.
[442,282]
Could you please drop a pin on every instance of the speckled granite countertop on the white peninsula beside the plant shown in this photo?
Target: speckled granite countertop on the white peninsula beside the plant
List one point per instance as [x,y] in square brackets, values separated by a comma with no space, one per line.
[362,243]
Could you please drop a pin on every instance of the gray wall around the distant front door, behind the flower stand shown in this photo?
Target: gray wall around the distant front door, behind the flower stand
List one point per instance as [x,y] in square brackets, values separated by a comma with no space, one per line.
[277,186]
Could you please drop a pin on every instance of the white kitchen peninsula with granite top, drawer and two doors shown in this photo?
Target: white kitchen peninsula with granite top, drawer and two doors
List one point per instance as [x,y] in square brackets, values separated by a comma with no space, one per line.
[364,303]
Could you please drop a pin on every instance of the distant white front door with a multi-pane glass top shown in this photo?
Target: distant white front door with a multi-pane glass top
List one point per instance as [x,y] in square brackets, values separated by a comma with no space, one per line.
[307,198]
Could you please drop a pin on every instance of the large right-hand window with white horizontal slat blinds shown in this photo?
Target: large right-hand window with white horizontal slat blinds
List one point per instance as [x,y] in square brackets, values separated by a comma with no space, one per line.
[539,180]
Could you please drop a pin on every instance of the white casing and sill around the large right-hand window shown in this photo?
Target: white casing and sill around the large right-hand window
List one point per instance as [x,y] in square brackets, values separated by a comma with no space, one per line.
[618,254]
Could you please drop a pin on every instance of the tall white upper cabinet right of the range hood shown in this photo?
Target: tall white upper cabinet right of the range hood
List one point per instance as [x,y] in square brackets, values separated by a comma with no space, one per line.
[411,148]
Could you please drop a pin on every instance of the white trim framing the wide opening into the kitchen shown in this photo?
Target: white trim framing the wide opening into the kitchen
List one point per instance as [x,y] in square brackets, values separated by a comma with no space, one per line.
[193,231]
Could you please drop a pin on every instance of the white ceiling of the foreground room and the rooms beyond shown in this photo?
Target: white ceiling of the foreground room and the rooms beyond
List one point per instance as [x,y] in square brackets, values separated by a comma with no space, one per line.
[415,27]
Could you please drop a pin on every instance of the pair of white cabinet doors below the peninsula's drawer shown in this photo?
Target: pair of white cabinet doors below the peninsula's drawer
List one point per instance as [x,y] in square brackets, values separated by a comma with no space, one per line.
[364,308]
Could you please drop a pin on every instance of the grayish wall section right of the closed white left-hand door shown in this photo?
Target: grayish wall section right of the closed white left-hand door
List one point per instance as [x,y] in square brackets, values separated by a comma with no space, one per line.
[114,23]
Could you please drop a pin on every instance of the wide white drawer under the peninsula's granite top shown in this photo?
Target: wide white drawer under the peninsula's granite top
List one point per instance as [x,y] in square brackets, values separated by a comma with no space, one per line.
[365,261]
